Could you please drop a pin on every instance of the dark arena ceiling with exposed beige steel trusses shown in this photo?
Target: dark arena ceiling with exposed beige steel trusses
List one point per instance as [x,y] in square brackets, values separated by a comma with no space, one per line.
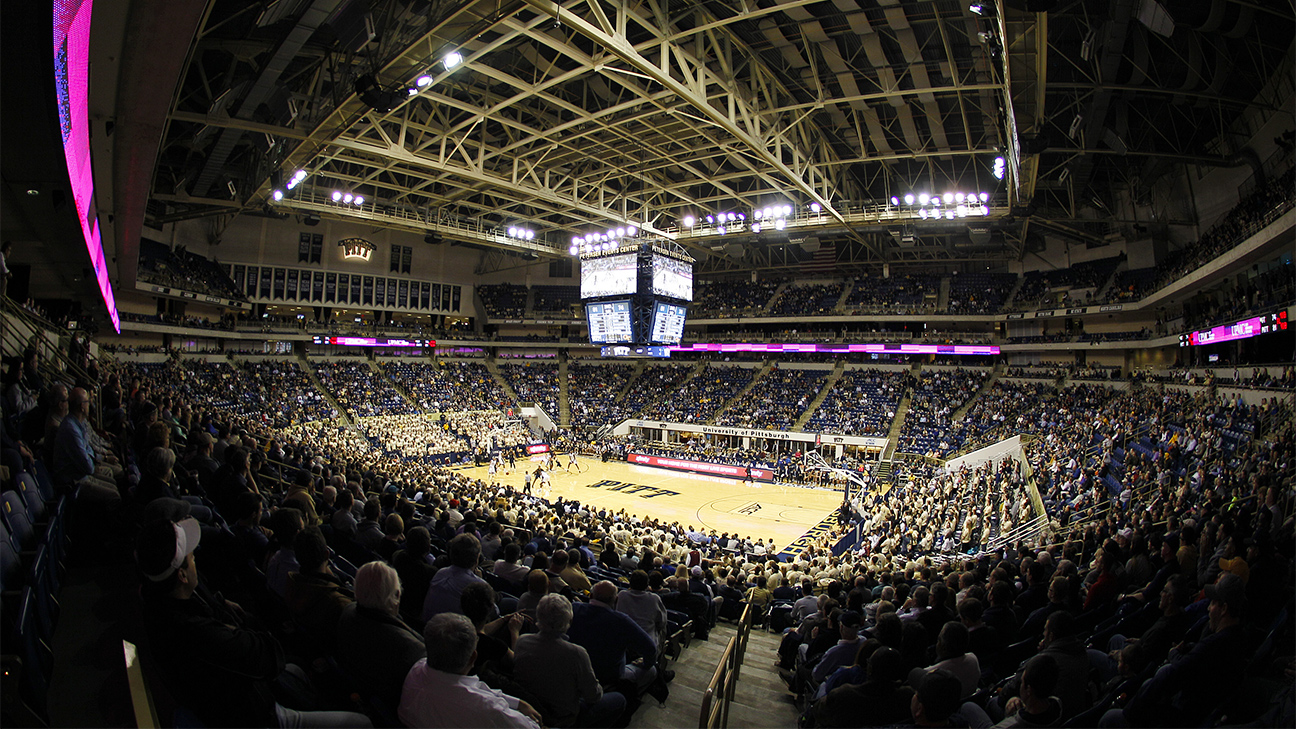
[575,117]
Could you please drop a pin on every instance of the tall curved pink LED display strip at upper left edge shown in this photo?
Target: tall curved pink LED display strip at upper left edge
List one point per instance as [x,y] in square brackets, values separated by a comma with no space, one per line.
[72,84]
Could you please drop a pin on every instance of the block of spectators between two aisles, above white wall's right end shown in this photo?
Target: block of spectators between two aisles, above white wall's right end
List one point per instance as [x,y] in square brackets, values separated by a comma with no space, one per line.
[862,403]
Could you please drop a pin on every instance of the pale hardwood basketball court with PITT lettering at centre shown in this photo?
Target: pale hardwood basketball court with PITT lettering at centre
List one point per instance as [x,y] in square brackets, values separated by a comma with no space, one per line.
[707,503]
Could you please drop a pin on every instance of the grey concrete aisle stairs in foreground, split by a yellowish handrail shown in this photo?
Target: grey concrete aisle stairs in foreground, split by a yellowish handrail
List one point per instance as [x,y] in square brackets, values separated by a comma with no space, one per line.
[760,699]
